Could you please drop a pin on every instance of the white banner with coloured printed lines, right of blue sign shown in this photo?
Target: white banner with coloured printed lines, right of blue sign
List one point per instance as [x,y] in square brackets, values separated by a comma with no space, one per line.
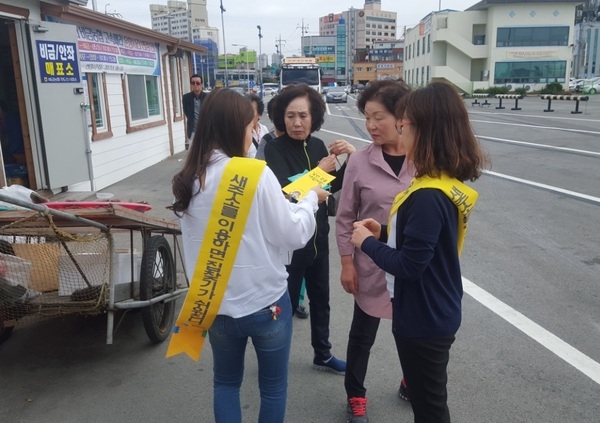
[103,51]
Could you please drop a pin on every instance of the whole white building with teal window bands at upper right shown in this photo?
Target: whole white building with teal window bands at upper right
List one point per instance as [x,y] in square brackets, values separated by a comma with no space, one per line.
[513,43]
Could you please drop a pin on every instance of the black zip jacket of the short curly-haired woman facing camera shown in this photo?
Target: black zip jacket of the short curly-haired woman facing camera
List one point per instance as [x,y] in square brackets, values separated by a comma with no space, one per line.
[288,157]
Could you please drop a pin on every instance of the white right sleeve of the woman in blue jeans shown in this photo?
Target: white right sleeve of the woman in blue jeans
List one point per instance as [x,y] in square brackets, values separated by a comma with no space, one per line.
[285,225]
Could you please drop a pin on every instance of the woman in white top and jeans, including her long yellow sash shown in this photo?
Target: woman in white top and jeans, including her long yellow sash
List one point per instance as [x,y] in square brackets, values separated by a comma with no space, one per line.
[234,217]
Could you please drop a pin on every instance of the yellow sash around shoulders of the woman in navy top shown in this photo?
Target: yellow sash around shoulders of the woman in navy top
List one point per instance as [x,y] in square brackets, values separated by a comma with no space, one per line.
[461,195]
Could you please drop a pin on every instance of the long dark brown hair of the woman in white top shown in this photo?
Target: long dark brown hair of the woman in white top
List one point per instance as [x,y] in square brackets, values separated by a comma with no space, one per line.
[222,123]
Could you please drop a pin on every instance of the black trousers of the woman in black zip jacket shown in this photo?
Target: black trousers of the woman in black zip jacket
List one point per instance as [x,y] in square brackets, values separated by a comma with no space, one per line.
[316,276]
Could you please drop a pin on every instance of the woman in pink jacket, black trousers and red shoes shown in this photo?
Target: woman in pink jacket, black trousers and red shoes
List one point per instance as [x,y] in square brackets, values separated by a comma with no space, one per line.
[374,175]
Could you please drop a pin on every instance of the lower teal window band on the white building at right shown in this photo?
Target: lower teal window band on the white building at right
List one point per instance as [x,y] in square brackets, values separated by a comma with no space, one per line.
[535,72]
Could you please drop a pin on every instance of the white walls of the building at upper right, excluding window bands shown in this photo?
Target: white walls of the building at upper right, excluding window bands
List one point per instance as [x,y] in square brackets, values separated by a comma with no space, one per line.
[455,56]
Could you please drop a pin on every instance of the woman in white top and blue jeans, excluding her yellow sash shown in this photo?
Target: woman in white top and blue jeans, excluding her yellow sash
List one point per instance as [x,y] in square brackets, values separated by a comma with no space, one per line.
[255,303]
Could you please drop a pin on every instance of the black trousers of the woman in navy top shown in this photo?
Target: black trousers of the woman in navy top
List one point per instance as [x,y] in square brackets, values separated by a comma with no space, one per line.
[424,363]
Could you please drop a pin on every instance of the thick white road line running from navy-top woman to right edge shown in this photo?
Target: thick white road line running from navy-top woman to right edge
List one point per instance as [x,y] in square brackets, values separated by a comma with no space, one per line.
[554,344]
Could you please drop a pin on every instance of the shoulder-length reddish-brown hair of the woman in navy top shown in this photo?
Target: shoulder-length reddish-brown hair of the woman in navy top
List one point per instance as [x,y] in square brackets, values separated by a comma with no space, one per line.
[444,138]
